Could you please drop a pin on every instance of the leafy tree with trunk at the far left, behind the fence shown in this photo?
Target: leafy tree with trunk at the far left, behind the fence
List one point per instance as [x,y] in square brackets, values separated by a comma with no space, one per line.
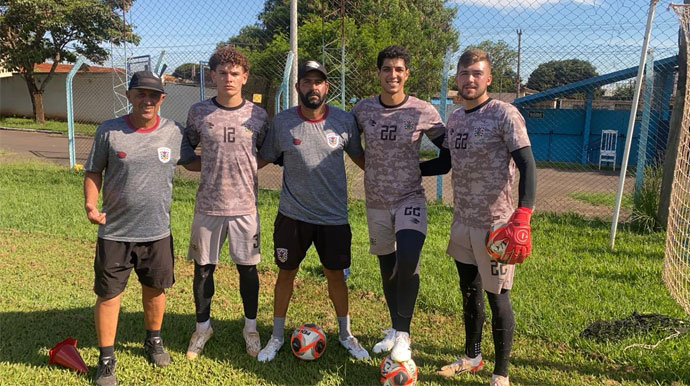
[34,31]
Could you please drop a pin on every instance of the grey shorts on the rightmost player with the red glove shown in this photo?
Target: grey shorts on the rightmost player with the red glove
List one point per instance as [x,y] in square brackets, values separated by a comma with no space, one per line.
[467,245]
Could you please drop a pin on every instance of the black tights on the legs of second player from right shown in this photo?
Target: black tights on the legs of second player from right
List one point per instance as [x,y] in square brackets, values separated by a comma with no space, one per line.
[400,277]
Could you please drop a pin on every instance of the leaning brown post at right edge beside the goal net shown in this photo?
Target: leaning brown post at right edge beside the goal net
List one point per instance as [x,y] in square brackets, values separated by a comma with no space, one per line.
[673,132]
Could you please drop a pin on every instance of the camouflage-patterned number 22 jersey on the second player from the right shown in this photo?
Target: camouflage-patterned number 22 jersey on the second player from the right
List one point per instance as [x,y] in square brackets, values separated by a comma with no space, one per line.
[393,136]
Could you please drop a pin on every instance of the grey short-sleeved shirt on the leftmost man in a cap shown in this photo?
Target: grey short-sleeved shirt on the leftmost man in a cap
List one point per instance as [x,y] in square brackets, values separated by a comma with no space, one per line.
[137,184]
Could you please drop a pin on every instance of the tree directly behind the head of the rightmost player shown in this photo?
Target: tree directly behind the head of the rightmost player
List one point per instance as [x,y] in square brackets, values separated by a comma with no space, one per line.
[503,59]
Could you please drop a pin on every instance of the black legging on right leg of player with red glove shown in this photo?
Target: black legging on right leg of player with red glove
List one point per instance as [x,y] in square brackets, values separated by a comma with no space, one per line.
[502,327]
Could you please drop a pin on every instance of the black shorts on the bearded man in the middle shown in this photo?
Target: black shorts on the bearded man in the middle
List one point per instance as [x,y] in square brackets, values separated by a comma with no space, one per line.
[292,238]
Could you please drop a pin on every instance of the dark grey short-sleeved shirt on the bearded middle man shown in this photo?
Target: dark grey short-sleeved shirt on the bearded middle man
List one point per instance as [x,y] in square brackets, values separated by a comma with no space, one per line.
[314,184]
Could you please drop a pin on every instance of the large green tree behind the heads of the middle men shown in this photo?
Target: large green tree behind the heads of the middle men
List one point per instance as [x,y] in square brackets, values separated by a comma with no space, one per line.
[424,27]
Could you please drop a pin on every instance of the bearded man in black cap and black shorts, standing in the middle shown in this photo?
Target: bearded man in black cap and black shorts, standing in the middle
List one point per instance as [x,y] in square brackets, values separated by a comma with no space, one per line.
[310,140]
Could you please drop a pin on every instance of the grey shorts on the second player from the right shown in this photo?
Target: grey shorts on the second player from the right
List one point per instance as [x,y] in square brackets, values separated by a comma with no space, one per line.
[383,224]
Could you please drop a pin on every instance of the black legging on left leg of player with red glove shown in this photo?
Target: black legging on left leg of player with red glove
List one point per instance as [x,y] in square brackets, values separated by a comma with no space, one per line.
[472,307]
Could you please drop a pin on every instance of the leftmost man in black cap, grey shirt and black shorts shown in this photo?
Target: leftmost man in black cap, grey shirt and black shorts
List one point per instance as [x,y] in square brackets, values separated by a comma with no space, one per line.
[132,161]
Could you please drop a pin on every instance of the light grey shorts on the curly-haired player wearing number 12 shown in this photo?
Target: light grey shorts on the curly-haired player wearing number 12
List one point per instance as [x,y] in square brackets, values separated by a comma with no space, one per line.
[209,233]
